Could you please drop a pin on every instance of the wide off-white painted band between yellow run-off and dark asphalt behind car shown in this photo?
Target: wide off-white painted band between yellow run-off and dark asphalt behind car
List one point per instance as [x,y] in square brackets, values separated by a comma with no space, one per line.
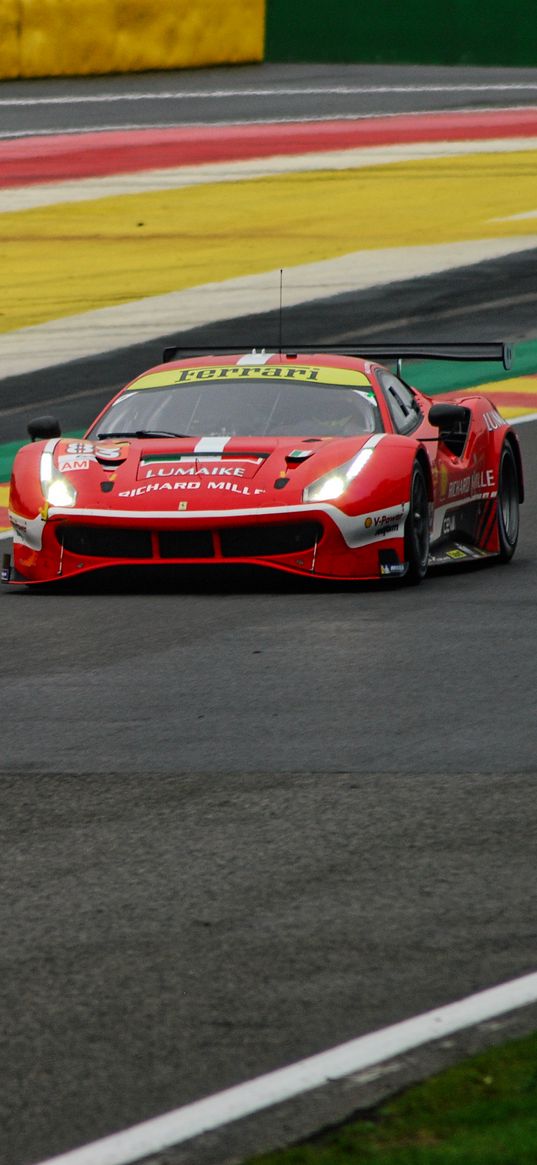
[107,329]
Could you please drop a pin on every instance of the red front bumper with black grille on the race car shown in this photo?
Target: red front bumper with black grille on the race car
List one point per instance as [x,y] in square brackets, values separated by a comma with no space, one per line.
[303,540]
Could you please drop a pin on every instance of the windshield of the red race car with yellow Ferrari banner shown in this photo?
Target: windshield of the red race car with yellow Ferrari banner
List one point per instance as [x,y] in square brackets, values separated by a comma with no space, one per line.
[245,407]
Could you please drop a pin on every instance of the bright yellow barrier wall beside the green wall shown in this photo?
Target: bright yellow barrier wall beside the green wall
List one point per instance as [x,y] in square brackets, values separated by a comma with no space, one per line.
[63,38]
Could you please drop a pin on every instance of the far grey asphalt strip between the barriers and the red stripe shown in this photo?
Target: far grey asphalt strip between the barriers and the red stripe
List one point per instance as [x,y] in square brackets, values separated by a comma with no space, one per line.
[256,94]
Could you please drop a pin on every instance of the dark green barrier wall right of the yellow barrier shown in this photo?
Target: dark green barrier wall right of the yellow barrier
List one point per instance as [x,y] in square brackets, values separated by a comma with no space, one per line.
[415,32]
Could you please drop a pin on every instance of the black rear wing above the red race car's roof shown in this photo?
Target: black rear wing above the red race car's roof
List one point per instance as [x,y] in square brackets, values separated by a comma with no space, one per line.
[490,350]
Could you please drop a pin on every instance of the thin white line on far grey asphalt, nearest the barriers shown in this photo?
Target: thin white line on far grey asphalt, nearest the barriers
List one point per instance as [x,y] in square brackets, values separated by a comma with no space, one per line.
[288,91]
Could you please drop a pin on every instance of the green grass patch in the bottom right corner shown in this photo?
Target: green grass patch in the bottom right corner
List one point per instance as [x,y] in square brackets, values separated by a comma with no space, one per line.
[484,1112]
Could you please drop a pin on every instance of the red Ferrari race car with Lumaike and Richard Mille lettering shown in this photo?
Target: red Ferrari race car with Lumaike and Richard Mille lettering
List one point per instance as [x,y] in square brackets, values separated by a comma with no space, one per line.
[323,464]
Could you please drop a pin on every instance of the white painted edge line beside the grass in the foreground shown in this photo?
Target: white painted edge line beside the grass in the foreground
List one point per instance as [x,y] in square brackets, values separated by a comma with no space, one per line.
[255,1096]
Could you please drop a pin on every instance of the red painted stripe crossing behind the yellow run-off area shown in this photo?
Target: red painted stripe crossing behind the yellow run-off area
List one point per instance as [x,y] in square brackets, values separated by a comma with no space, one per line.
[55,158]
